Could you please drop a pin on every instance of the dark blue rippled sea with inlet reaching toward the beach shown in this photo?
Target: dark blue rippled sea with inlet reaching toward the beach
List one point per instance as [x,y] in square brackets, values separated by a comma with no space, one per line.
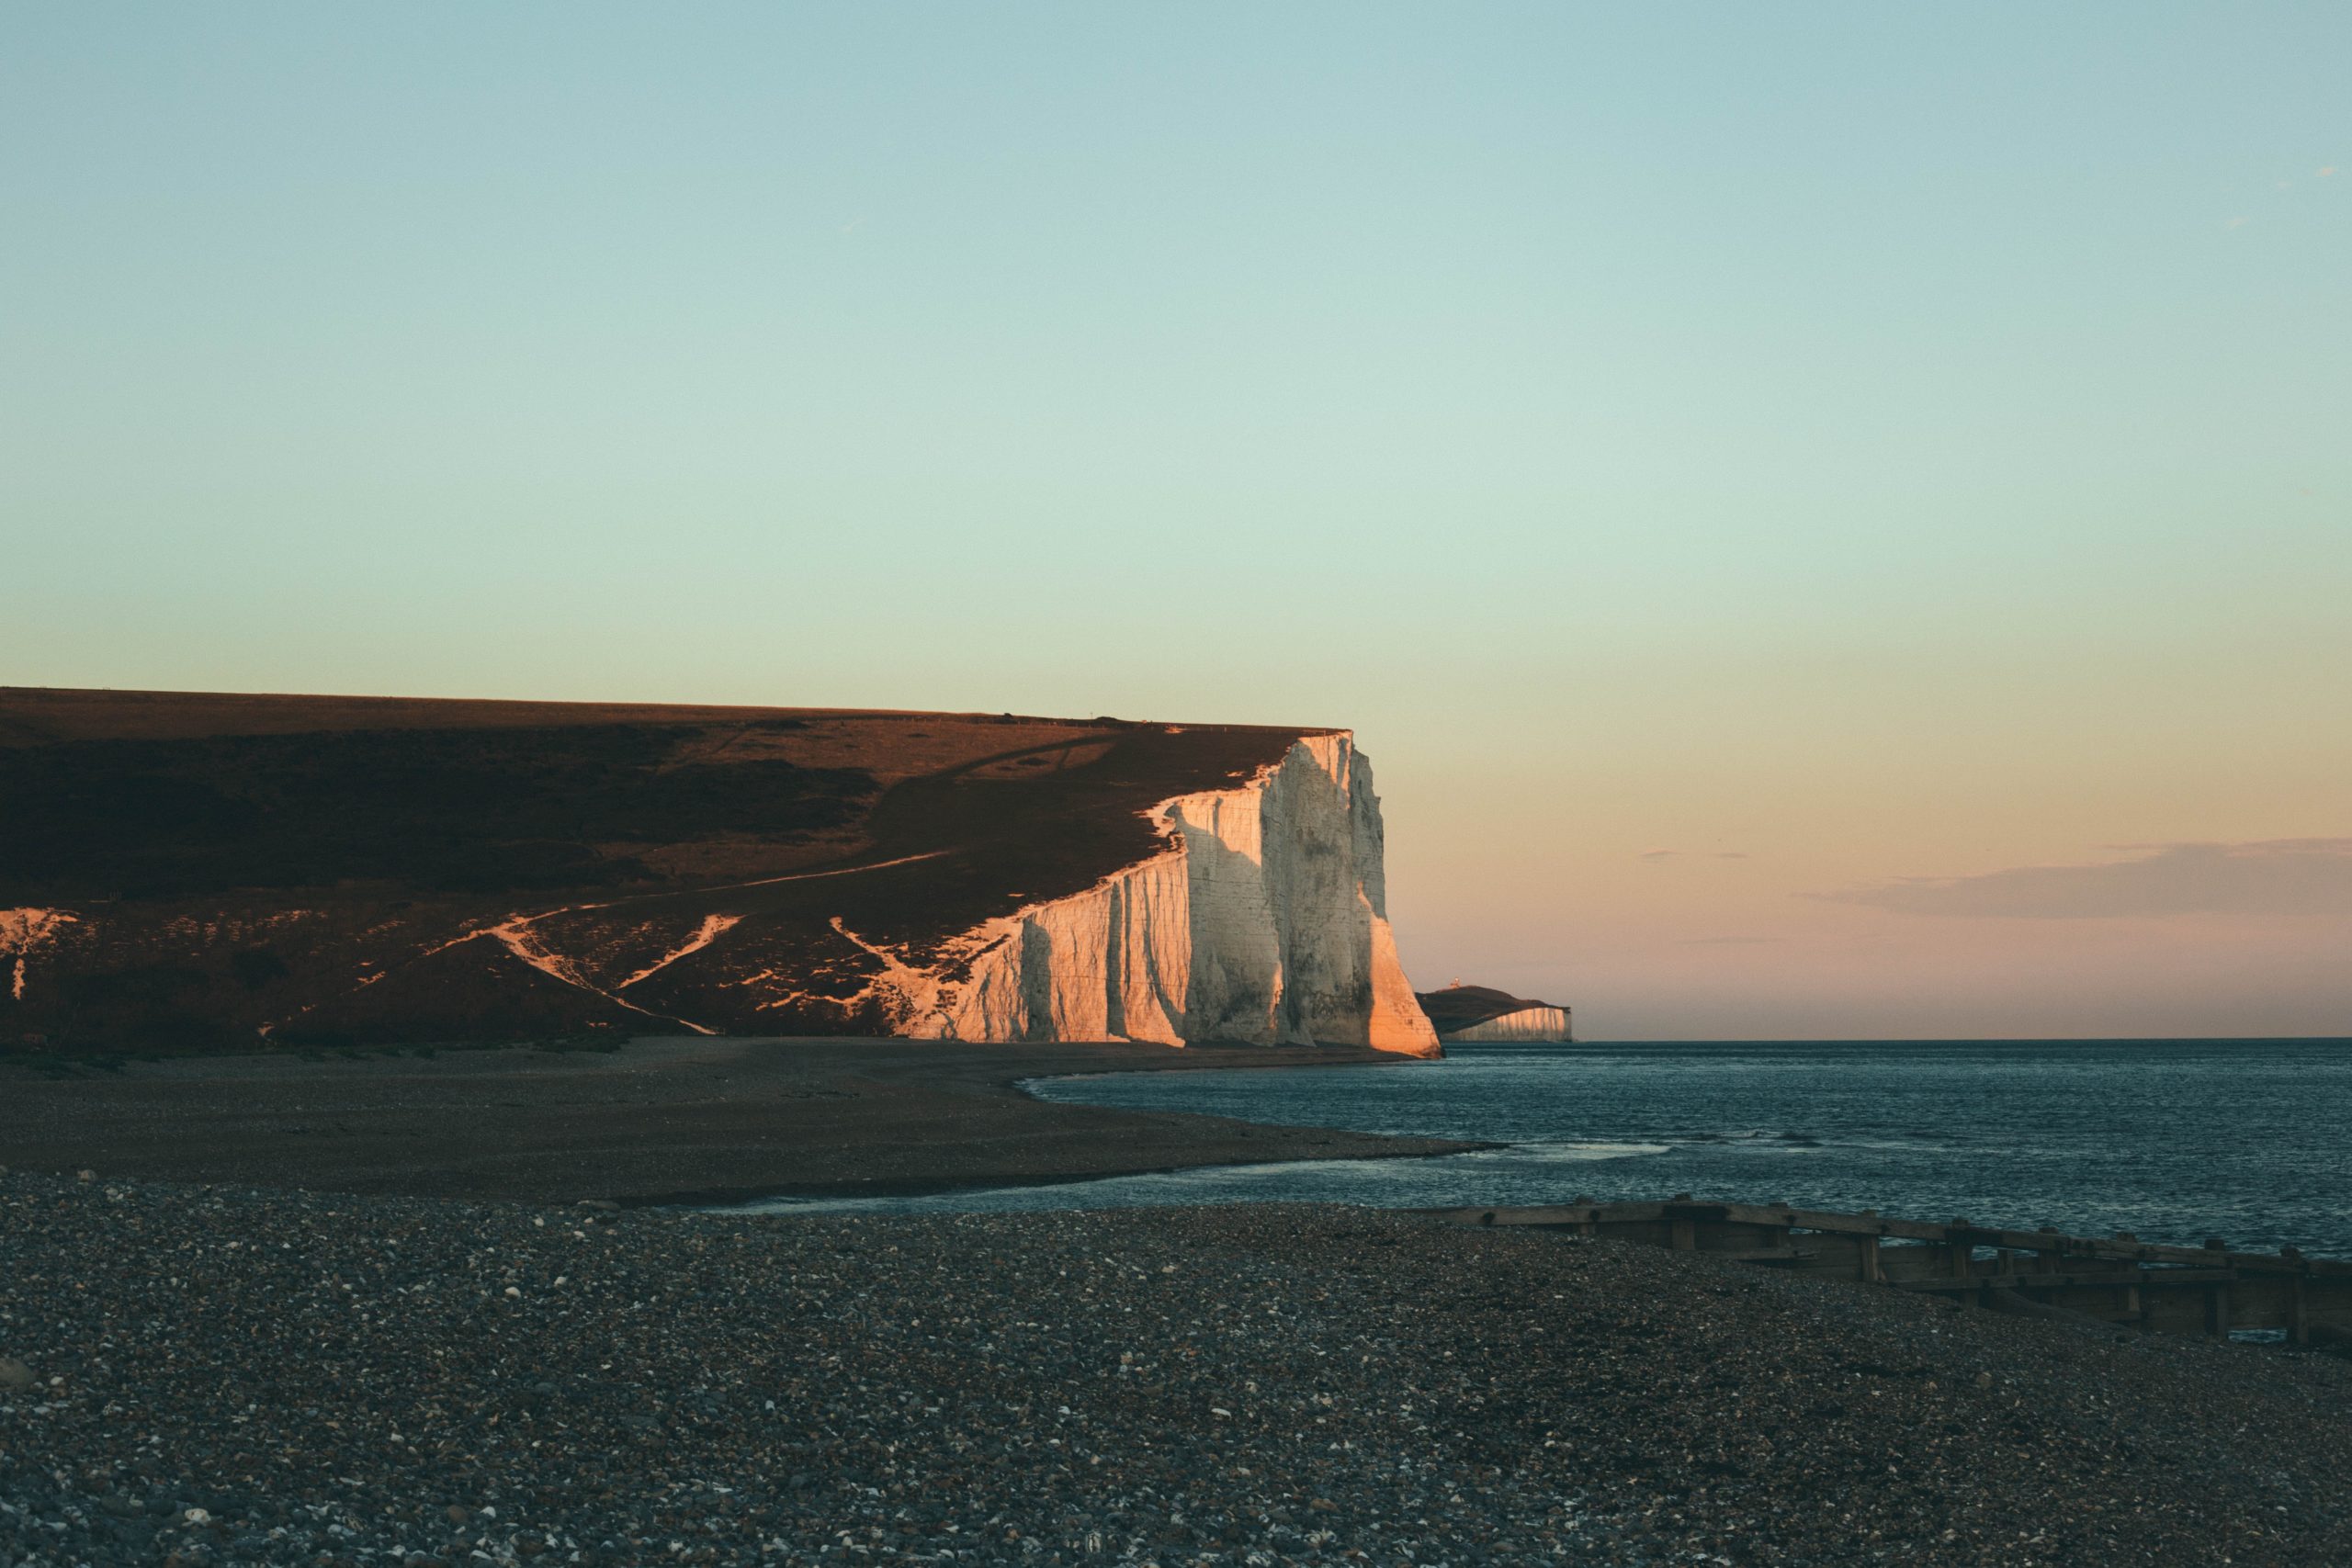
[2174,1141]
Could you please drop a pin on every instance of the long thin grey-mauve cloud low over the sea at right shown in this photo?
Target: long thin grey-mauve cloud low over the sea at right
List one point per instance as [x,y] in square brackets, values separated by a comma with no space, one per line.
[2160,883]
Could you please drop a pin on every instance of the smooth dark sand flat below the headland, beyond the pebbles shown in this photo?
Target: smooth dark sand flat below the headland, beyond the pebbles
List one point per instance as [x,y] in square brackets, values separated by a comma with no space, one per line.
[660,1120]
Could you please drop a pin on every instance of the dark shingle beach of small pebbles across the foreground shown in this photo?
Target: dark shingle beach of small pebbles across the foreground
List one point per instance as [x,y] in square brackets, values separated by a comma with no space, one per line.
[229,1376]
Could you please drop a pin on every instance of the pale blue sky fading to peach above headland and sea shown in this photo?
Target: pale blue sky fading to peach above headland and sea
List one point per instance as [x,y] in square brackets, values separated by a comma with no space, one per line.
[1831,521]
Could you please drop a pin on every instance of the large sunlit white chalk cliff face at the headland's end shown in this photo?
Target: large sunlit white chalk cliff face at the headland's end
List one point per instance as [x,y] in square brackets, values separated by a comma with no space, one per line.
[1264,920]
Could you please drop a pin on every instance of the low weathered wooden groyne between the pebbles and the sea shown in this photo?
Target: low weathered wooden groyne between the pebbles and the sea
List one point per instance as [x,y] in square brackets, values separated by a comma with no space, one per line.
[2118,1280]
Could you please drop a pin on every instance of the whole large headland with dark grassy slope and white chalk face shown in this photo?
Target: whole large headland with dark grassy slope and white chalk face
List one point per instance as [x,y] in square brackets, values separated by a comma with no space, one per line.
[218,871]
